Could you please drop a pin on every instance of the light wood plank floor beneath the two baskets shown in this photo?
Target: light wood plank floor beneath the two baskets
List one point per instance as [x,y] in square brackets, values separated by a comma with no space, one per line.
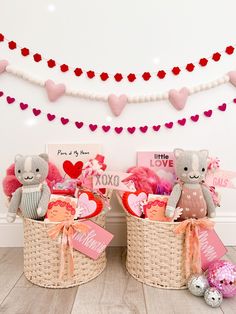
[114,291]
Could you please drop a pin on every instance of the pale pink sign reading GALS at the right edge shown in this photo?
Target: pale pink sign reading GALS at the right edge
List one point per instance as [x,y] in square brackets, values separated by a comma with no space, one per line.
[222,178]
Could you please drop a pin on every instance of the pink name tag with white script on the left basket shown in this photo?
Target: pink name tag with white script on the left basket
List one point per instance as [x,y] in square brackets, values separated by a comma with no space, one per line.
[92,243]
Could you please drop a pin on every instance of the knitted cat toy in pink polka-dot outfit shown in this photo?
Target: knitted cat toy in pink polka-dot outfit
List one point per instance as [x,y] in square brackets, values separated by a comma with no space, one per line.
[190,193]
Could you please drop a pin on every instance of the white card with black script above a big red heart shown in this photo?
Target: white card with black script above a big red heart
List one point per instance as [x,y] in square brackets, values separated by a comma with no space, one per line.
[69,158]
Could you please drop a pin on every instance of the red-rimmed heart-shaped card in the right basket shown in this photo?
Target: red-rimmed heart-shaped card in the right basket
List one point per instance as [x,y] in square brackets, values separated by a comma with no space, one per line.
[132,201]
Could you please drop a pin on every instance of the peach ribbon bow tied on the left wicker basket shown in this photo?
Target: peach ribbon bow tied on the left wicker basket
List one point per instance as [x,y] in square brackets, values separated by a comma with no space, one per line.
[67,230]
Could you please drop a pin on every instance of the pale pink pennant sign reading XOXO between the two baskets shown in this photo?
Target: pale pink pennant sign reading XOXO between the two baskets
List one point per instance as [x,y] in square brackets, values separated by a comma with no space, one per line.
[112,180]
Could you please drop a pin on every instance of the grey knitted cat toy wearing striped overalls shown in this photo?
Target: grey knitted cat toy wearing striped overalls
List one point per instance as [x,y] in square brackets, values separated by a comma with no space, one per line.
[33,196]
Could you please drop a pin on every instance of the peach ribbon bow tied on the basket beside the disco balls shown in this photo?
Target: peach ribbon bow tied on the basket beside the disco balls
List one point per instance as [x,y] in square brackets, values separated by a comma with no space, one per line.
[191,228]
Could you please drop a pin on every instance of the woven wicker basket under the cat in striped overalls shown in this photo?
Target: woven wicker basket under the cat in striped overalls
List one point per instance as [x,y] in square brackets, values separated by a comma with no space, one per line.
[42,258]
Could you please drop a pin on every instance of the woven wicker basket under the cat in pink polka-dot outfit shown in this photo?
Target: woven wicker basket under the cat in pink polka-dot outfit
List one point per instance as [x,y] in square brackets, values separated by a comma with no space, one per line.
[155,255]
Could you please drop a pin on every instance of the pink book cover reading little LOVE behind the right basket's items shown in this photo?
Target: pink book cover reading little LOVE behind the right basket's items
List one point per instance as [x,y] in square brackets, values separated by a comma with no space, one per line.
[160,162]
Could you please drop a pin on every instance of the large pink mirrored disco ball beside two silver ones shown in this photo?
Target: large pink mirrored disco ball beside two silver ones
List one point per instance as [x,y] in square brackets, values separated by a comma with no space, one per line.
[222,276]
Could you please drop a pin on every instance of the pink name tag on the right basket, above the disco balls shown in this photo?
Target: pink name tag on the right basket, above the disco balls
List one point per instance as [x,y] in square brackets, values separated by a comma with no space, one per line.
[212,247]
